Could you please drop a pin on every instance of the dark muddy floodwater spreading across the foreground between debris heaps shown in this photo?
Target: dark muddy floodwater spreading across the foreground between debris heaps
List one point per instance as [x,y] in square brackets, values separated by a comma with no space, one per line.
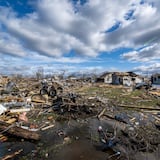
[69,140]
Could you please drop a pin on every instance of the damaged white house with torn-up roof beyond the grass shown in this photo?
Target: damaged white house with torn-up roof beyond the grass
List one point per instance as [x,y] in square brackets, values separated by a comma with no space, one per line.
[120,78]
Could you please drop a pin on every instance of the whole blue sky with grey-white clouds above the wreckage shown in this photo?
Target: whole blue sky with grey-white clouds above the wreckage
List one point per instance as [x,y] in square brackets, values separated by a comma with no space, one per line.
[79,35]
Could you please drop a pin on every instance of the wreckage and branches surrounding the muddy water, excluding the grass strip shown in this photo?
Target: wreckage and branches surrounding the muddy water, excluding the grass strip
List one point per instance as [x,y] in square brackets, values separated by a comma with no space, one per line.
[29,107]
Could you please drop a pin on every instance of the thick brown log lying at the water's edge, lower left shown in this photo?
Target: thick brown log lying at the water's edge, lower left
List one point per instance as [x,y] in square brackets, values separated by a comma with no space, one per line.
[18,131]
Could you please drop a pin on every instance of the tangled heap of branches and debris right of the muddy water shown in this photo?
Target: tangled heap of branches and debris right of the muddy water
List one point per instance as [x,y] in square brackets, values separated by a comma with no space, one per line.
[129,133]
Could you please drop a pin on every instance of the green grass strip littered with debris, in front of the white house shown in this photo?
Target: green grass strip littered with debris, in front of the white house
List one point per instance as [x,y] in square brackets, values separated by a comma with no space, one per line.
[120,95]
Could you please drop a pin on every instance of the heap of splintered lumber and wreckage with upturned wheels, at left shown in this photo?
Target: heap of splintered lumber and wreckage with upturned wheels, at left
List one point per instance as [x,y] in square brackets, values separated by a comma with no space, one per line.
[16,101]
